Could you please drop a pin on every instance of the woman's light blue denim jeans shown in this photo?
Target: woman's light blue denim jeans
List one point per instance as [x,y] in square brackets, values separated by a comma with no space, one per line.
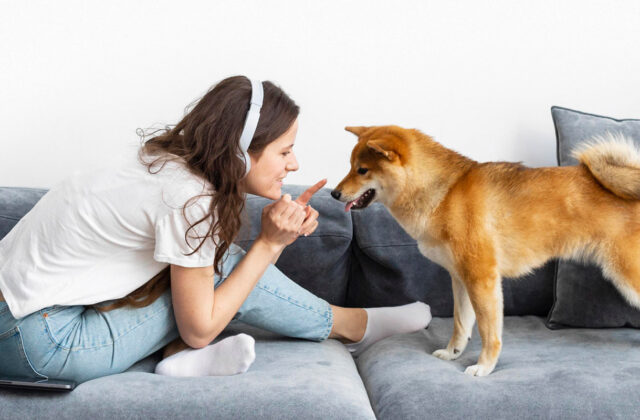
[80,343]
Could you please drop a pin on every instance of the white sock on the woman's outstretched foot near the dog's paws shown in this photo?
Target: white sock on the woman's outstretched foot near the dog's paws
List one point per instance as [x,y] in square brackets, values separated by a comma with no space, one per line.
[390,320]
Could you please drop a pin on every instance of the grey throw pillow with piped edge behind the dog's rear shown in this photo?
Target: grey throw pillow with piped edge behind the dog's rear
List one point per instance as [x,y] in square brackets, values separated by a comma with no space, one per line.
[583,297]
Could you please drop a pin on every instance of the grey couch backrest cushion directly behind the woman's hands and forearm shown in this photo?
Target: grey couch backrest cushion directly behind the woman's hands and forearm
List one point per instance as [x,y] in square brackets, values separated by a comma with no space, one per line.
[320,262]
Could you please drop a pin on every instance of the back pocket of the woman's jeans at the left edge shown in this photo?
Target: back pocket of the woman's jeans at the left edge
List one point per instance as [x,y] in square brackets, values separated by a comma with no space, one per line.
[14,361]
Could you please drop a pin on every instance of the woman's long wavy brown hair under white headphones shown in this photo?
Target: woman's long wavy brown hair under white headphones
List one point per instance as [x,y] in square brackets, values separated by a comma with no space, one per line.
[207,141]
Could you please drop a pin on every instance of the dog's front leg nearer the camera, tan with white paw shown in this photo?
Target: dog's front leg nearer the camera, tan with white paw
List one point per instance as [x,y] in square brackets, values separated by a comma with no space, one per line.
[485,293]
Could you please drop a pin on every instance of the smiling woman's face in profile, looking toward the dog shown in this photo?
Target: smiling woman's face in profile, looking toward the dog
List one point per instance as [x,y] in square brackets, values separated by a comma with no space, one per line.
[271,166]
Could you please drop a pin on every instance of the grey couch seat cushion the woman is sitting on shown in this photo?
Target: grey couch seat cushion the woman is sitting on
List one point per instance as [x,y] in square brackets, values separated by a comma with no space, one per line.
[290,379]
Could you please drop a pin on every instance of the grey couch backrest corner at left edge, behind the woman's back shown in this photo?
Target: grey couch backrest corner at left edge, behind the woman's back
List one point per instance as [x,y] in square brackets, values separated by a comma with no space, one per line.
[15,202]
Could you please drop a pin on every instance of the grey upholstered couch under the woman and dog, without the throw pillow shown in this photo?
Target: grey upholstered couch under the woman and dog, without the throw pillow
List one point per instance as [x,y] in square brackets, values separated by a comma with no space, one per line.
[364,258]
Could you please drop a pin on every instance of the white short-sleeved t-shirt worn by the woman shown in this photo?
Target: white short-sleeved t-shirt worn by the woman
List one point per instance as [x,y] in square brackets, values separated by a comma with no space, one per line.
[99,235]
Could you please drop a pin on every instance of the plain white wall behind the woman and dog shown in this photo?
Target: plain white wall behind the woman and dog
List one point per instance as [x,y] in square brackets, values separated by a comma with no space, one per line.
[78,77]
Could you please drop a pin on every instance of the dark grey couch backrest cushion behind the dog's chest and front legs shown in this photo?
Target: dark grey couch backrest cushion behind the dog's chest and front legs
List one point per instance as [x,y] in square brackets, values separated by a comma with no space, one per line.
[388,269]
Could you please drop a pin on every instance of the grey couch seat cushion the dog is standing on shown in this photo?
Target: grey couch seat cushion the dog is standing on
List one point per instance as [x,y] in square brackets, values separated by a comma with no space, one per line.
[571,373]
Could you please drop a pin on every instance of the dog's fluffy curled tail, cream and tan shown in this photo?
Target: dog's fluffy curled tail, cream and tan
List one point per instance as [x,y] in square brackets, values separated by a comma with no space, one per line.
[614,161]
